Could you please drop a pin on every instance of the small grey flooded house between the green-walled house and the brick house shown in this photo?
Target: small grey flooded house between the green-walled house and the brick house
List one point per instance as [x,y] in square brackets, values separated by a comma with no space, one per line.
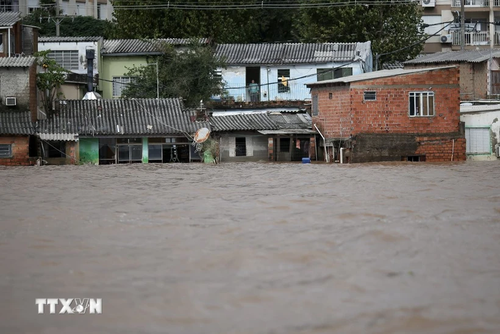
[263,135]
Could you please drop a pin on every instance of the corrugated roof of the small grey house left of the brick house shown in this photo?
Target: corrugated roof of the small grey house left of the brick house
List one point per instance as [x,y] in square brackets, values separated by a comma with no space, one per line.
[247,121]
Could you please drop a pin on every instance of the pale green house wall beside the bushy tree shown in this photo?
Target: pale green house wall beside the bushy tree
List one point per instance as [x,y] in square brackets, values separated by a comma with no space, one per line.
[117,67]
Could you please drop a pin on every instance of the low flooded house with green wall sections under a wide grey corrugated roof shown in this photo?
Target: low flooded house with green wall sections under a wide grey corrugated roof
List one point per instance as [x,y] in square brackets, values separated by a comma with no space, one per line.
[121,131]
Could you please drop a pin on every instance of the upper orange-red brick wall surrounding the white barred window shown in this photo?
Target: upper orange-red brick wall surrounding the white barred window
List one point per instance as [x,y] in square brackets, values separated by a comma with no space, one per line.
[346,113]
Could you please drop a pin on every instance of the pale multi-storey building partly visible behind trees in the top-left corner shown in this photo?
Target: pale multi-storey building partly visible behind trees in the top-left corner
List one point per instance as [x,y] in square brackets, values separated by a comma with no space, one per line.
[99,9]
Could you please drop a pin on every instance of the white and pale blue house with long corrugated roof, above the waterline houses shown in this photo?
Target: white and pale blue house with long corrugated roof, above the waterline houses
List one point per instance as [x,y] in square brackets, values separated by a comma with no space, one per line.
[282,69]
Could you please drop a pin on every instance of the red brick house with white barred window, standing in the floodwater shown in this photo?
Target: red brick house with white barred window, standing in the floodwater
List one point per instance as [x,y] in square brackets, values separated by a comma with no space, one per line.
[390,115]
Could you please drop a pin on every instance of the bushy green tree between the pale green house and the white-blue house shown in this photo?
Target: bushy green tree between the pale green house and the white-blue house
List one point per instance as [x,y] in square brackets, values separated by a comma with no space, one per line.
[190,74]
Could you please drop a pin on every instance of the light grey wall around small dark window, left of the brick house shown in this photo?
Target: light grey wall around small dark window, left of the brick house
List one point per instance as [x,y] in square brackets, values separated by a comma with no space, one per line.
[256,147]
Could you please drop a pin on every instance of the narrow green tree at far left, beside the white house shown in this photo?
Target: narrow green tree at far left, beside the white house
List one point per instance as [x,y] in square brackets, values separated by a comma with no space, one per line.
[49,80]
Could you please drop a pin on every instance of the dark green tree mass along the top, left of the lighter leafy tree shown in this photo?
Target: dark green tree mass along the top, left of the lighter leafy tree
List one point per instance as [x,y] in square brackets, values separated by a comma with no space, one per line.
[219,24]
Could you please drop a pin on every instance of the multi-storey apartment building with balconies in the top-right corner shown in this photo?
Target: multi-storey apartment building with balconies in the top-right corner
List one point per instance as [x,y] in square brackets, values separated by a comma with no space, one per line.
[480,29]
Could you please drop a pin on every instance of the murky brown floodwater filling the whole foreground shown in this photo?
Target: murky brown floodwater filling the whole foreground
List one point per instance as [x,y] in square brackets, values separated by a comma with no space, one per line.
[253,248]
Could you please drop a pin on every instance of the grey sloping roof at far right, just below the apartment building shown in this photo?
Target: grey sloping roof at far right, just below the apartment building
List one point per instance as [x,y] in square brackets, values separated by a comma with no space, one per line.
[463,56]
